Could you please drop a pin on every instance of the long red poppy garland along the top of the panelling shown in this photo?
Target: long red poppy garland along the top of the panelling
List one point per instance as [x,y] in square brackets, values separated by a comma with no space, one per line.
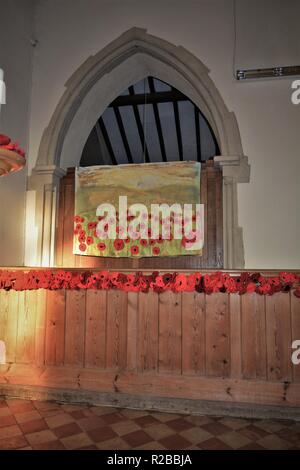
[156,282]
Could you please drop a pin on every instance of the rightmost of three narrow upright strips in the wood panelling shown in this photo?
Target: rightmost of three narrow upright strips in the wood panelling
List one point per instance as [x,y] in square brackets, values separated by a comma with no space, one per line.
[235,336]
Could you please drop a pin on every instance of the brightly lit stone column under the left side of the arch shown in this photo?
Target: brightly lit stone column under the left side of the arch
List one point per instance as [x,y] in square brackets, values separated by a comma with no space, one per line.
[43,190]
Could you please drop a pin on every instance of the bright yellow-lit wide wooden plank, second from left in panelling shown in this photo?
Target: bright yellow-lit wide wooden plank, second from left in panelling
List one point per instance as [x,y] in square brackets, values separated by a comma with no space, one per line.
[26,327]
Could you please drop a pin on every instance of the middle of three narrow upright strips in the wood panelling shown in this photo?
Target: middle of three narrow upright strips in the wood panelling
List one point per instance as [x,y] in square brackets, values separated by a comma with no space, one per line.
[132,332]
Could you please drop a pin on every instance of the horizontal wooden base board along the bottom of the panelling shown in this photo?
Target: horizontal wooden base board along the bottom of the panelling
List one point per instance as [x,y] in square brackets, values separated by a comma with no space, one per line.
[160,385]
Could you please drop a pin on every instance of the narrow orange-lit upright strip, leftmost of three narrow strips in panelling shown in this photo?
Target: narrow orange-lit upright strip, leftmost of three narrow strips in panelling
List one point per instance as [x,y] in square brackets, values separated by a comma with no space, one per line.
[40,329]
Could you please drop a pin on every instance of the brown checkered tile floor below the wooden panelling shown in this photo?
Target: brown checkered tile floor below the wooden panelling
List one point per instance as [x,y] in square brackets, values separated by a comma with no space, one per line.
[44,425]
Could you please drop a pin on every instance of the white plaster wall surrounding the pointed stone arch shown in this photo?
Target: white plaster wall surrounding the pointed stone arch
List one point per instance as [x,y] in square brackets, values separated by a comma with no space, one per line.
[69,31]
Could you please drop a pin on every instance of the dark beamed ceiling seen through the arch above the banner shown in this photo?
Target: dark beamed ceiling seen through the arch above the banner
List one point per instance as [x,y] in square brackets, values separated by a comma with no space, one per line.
[150,122]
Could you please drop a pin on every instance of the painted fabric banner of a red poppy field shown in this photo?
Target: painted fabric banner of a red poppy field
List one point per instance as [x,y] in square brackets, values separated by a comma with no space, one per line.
[174,184]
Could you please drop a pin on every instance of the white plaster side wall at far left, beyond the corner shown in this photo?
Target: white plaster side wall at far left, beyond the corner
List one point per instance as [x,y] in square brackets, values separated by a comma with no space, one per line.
[15,59]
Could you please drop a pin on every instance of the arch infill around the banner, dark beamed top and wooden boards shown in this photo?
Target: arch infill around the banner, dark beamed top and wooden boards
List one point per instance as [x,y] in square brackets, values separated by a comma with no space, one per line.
[150,121]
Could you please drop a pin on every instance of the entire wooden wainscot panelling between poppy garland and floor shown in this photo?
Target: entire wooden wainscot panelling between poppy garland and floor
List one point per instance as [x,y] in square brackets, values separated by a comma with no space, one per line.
[220,347]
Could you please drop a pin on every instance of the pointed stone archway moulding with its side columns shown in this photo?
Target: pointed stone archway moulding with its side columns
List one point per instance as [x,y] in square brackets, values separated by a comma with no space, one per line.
[129,58]
